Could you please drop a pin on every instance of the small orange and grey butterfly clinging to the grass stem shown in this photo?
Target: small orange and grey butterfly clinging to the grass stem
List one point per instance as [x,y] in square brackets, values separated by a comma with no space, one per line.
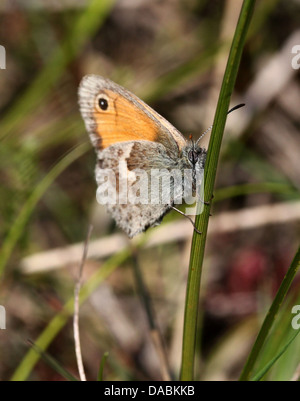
[144,166]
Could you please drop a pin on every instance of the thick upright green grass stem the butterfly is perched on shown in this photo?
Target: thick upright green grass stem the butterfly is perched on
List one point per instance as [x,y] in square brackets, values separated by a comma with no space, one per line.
[198,243]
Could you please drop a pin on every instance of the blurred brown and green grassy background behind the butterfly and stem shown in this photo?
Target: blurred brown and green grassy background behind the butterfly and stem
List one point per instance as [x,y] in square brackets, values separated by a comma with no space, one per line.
[172,54]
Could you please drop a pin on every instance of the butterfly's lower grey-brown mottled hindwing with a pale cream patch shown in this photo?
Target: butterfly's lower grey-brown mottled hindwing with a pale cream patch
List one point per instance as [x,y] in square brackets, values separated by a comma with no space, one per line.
[126,184]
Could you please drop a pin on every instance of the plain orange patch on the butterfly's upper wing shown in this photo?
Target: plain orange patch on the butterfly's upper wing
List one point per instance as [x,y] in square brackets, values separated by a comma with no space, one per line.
[122,121]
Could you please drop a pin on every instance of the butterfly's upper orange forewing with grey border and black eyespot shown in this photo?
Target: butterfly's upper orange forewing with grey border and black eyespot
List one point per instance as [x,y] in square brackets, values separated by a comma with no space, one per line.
[112,115]
